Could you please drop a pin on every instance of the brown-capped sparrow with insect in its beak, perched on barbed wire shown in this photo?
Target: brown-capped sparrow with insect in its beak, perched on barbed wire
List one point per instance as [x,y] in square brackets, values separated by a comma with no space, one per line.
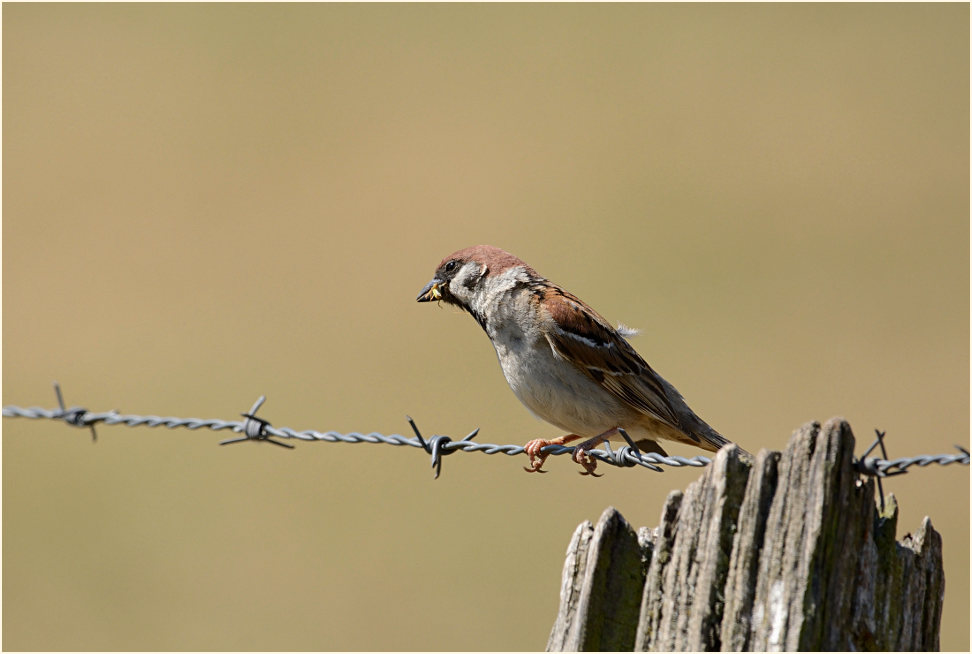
[564,361]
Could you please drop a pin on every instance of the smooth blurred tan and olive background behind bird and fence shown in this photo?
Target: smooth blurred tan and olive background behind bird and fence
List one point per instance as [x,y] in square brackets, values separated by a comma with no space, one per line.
[206,203]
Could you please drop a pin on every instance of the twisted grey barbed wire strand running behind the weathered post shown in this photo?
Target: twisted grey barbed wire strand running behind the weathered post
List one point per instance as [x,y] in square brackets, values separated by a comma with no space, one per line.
[437,446]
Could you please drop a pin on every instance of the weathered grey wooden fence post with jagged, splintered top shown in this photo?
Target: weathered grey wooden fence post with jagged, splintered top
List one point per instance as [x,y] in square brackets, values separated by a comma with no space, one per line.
[787,552]
